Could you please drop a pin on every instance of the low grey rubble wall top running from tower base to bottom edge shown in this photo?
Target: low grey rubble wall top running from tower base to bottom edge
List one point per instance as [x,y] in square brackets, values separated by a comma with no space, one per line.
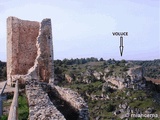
[40,106]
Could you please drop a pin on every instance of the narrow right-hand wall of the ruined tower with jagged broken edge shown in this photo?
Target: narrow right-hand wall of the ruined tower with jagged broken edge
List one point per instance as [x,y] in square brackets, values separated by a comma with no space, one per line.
[43,68]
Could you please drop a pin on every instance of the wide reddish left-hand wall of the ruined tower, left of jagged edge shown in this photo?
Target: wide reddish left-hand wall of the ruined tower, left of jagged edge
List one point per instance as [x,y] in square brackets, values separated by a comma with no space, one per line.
[21,46]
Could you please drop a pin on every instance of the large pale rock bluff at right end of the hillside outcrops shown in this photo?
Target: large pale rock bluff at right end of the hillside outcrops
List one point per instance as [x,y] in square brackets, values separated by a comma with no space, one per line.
[133,79]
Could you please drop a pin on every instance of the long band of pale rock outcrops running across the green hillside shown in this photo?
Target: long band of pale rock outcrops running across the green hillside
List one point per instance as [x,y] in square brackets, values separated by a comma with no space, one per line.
[133,78]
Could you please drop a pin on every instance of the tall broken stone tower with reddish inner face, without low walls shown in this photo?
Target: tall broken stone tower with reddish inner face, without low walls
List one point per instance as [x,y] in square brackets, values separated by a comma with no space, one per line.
[29,50]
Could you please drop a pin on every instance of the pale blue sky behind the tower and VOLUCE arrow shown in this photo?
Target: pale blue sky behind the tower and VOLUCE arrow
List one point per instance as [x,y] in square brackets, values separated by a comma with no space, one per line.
[83,28]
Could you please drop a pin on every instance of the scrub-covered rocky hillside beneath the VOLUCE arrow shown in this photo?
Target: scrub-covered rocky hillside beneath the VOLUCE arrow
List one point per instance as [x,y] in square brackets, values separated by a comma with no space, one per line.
[113,89]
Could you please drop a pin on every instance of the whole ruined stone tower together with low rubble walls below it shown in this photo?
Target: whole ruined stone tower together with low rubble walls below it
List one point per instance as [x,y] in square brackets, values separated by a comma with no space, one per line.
[30,61]
